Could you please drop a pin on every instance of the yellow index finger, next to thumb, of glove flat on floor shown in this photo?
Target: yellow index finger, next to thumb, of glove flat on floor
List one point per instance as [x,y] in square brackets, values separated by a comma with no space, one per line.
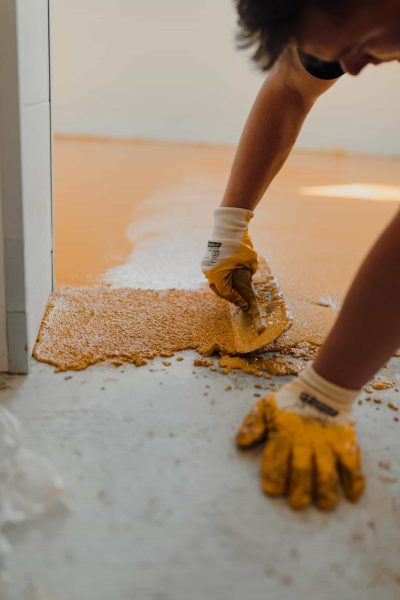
[275,464]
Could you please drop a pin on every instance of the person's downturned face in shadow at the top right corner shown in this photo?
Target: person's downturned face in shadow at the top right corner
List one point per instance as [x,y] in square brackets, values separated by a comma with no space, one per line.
[371,35]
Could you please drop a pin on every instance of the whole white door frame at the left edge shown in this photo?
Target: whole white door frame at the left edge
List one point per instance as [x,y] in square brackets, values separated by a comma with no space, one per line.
[26,272]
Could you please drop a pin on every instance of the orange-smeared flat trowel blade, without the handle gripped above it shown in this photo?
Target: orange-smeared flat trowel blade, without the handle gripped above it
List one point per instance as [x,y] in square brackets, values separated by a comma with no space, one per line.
[273,309]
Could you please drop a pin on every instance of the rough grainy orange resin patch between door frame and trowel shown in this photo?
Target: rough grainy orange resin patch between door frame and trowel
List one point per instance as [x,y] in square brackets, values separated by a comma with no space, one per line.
[85,326]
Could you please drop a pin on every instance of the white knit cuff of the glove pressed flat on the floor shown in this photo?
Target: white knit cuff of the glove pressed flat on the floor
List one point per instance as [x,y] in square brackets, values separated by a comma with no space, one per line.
[313,395]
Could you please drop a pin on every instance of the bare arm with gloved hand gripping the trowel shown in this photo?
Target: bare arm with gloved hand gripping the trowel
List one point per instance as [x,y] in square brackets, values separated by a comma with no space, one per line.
[269,134]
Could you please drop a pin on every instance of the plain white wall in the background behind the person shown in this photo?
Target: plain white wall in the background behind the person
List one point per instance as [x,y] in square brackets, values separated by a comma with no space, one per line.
[169,70]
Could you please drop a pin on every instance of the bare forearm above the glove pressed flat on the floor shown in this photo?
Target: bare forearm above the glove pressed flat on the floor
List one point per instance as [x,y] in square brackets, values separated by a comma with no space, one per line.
[367,331]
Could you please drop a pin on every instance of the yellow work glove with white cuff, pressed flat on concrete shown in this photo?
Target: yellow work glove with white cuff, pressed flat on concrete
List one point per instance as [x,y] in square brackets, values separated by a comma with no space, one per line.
[311,443]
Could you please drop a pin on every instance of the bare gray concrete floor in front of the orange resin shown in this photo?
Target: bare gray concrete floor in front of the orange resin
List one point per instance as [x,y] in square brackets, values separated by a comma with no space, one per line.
[161,506]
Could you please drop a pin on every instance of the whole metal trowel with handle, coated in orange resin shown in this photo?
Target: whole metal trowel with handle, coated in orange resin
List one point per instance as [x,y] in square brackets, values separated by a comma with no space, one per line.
[267,315]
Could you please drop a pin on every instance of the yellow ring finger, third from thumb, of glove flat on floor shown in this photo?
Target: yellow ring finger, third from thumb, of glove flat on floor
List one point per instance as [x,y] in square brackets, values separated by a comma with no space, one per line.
[326,478]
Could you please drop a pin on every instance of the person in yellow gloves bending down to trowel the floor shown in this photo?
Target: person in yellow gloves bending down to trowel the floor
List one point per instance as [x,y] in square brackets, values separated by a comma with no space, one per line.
[311,440]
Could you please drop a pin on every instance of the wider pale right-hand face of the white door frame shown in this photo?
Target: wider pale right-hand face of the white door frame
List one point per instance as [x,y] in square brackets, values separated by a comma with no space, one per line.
[34,78]
